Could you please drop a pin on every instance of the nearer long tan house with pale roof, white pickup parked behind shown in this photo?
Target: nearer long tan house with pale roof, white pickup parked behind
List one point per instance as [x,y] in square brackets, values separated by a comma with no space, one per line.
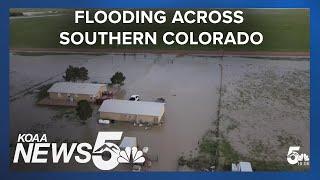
[133,111]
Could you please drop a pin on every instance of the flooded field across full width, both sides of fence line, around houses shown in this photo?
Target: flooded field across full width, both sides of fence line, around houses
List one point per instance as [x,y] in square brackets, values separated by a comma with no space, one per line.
[256,108]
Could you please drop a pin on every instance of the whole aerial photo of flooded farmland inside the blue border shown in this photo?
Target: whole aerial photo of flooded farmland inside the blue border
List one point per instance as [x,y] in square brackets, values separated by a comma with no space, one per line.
[177,108]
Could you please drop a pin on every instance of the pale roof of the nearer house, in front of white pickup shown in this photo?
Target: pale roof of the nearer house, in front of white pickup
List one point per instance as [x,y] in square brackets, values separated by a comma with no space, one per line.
[132,107]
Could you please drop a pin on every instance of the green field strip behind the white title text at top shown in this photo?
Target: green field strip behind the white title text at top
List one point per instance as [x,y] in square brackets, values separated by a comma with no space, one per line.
[283,30]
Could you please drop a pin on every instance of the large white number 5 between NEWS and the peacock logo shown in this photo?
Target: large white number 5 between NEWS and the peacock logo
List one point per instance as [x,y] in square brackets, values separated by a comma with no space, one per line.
[102,146]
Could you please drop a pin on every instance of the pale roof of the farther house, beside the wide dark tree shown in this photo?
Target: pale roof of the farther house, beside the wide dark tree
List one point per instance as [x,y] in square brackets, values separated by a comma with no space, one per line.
[75,88]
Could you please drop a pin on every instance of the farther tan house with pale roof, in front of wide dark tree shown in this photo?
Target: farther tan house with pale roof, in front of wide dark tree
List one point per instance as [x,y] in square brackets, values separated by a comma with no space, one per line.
[74,92]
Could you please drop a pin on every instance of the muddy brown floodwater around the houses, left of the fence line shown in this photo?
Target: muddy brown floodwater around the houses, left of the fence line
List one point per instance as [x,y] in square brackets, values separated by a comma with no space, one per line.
[188,84]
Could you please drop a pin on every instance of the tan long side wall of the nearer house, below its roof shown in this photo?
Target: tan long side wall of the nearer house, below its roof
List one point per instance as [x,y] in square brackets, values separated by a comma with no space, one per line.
[130,117]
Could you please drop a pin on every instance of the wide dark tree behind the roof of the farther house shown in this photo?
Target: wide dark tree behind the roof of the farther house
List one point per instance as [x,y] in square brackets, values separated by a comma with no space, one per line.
[75,73]
